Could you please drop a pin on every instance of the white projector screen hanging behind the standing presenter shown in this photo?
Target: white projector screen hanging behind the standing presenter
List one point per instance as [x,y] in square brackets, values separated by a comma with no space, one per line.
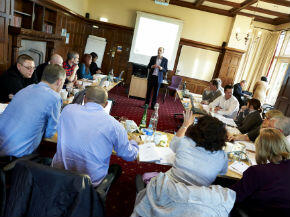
[151,32]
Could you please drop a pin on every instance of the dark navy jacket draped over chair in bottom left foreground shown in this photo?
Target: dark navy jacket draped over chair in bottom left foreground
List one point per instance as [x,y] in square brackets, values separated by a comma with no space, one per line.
[38,190]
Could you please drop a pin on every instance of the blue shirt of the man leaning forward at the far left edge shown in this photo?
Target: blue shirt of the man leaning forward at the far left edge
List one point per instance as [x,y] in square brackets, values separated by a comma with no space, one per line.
[32,113]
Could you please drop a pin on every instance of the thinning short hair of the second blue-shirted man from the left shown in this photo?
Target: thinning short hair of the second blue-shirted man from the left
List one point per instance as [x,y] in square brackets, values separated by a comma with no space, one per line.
[96,94]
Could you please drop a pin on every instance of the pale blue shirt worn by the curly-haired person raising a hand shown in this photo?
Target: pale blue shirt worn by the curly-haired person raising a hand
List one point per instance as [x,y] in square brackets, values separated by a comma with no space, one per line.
[195,165]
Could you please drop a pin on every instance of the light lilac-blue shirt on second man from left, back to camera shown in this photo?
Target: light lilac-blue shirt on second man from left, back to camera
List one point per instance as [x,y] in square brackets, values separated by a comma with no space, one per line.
[86,138]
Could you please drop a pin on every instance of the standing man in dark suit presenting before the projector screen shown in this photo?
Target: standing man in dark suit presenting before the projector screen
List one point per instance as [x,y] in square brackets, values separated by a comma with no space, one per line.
[157,66]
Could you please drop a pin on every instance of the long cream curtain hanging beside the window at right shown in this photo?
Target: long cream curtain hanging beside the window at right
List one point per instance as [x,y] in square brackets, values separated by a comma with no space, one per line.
[259,55]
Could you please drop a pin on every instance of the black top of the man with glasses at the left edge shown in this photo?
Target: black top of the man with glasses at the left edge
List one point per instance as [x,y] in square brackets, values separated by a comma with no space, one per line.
[12,81]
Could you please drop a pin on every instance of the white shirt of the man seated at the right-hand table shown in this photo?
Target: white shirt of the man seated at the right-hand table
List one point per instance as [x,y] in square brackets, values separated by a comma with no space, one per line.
[230,107]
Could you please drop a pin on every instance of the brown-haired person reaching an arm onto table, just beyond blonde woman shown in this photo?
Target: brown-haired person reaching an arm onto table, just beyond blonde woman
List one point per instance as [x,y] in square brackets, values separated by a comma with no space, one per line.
[269,121]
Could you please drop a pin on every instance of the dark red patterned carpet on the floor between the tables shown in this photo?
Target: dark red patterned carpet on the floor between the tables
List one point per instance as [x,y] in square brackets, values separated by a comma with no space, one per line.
[121,197]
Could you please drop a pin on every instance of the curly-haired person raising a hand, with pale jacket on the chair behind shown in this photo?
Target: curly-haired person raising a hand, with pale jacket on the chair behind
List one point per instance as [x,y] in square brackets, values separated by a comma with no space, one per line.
[185,189]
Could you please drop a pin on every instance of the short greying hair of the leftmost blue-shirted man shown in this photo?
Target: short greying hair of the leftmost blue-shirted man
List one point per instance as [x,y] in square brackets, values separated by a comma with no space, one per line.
[52,73]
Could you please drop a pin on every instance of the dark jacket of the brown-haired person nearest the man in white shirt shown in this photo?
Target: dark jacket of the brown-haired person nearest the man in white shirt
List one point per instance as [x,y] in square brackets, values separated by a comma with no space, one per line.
[251,121]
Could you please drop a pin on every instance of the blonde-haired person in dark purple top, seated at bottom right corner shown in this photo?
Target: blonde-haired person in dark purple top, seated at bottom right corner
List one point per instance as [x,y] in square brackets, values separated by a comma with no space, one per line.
[266,187]
